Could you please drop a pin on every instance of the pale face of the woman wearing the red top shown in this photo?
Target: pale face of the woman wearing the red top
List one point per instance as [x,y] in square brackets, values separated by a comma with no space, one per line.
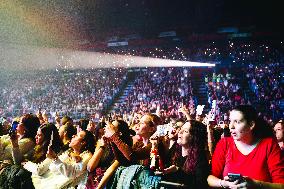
[240,129]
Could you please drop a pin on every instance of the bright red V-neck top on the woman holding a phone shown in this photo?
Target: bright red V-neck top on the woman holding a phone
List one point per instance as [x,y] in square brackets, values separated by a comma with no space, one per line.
[265,162]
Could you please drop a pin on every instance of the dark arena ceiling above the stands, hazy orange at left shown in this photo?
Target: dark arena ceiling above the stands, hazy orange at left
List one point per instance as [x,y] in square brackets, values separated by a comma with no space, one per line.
[63,22]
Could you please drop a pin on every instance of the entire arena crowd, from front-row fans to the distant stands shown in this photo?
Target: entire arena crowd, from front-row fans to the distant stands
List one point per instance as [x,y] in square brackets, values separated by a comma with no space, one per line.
[160,136]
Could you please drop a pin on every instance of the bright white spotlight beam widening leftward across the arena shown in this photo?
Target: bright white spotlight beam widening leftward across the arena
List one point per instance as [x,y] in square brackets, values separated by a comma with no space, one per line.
[21,58]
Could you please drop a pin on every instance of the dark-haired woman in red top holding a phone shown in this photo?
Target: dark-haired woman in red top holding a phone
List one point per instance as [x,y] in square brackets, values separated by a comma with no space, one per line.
[251,151]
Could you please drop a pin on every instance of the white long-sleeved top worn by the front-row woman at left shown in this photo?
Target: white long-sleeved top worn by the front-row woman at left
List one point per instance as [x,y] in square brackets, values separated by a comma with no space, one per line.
[61,173]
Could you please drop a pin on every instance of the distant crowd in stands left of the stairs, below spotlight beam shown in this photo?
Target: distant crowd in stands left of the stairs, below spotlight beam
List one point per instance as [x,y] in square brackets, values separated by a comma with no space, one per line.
[79,93]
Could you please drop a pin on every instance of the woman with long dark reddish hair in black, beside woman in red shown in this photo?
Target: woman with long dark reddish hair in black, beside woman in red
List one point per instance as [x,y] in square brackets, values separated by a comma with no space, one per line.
[189,162]
